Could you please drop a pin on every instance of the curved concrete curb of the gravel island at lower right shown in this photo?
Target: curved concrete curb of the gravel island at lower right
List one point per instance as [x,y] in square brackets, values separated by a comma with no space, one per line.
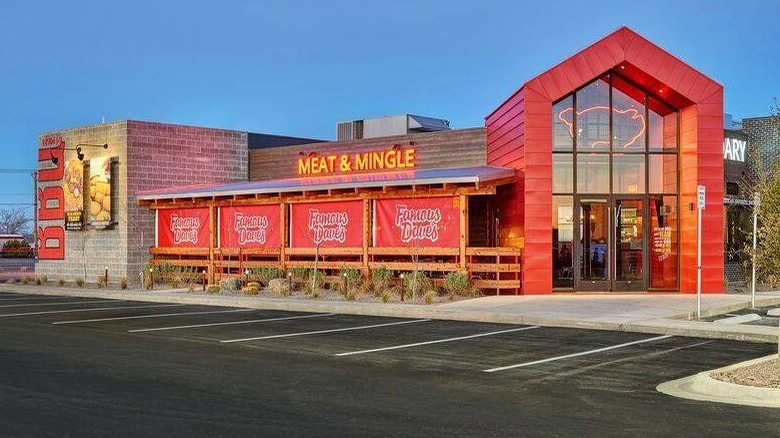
[704,388]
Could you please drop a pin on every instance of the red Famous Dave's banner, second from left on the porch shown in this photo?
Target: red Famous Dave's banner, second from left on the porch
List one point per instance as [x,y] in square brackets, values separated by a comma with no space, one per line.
[249,227]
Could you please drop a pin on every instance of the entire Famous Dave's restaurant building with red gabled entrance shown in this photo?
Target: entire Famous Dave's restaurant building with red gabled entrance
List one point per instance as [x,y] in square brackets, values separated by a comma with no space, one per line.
[584,179]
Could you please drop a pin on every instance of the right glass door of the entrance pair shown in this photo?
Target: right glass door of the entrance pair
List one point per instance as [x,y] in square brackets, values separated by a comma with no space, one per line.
[630,244]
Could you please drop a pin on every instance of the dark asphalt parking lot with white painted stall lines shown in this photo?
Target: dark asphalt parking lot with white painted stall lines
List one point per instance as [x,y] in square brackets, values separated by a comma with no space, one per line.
[82,367]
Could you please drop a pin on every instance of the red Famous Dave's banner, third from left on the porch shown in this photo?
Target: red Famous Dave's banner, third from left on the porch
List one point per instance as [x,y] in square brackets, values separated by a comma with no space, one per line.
[327,224]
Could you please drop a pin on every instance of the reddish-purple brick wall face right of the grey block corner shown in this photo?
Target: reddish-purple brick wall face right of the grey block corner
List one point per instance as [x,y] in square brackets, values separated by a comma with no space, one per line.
[163,155]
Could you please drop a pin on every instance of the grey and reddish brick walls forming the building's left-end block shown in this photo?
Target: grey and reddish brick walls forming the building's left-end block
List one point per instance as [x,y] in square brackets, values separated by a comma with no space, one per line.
[149,156]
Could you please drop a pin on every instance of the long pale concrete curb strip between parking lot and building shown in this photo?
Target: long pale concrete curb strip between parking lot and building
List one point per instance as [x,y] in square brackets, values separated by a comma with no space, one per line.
[675,327]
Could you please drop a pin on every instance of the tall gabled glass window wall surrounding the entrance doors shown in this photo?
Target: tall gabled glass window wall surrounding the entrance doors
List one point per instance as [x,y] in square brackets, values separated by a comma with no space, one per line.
[614,140]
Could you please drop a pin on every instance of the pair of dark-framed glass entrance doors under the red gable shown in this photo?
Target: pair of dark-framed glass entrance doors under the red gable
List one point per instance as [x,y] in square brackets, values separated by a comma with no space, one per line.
[611,244]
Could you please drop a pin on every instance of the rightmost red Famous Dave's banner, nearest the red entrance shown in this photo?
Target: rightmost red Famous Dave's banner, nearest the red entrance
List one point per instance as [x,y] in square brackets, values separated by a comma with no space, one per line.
[420,222]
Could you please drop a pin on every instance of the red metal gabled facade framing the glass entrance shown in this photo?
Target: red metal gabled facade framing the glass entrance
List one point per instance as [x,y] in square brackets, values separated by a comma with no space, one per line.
[519,135]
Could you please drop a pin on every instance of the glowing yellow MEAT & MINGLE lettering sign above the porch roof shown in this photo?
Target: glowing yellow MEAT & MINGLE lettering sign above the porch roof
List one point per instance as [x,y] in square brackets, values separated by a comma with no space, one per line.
[393,159]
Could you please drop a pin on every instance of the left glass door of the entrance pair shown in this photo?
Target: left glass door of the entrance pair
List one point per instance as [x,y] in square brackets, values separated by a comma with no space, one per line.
[593,238]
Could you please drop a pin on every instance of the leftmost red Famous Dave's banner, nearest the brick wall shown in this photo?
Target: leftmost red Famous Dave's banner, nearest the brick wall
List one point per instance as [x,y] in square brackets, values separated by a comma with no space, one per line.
[183,228]
